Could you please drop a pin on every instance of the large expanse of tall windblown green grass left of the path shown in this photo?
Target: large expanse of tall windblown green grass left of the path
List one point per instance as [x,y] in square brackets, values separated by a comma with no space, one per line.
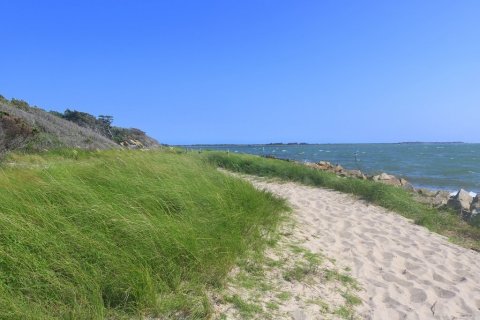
[122,234]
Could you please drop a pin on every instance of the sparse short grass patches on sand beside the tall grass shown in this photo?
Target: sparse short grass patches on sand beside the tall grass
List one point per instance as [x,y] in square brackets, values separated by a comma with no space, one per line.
[287,278]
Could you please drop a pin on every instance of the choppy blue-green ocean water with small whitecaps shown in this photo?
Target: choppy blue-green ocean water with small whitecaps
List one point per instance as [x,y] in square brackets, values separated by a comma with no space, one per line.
[446,166]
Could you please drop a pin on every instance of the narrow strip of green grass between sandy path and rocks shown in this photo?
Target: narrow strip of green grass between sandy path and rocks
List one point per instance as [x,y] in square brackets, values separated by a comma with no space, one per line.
[393,198]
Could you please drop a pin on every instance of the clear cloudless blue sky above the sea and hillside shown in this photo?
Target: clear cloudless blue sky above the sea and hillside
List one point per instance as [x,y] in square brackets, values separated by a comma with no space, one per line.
[236,71]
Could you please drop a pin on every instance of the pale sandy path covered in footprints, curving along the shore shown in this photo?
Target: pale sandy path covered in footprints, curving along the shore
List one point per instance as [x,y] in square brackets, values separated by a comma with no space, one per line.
[406,271]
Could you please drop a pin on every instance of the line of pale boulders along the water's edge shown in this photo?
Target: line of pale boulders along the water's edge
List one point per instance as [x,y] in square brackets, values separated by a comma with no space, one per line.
[464,203]
